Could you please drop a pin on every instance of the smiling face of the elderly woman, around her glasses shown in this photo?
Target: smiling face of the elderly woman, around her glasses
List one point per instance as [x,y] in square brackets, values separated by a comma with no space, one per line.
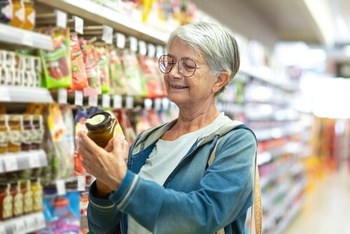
[195,89]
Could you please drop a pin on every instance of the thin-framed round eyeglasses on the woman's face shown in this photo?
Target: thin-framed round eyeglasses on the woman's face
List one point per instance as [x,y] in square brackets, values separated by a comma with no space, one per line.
[186,67]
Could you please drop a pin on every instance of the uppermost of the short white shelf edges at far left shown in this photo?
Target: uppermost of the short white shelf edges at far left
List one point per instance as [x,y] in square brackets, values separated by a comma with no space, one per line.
[9,34]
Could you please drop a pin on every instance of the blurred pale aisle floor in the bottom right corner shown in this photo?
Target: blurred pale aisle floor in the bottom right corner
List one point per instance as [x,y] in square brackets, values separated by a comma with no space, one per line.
[327,207]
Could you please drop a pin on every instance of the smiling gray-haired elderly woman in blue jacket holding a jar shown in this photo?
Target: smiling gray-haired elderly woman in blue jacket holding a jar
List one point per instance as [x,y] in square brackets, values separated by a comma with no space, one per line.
[166,185]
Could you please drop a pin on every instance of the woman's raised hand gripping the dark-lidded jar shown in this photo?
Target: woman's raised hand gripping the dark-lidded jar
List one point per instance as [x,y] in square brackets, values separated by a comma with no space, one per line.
[107,165]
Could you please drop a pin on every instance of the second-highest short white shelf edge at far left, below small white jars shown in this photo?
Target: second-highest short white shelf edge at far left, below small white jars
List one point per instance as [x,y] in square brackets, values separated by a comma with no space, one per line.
[24,95]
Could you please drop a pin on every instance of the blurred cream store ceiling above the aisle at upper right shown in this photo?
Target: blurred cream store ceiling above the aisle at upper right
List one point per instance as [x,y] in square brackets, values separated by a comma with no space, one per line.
[320,22]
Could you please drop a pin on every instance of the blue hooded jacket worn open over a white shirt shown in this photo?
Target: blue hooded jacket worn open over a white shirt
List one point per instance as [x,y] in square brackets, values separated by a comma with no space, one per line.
[195,198]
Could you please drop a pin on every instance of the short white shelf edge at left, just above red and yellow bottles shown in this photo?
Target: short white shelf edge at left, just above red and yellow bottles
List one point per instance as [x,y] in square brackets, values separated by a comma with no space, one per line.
[23,160]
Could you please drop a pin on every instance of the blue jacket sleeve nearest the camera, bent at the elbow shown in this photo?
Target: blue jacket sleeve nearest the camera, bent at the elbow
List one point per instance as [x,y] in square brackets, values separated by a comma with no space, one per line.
[224,194]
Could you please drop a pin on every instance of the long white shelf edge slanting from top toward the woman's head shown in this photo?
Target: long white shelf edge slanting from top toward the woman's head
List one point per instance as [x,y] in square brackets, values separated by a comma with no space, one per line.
[105,16]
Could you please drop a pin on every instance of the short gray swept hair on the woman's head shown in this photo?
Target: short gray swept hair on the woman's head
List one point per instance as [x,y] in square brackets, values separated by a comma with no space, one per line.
[214,42]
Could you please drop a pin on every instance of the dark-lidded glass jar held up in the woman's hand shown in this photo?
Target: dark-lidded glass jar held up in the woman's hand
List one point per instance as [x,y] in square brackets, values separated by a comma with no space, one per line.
[102,127]
